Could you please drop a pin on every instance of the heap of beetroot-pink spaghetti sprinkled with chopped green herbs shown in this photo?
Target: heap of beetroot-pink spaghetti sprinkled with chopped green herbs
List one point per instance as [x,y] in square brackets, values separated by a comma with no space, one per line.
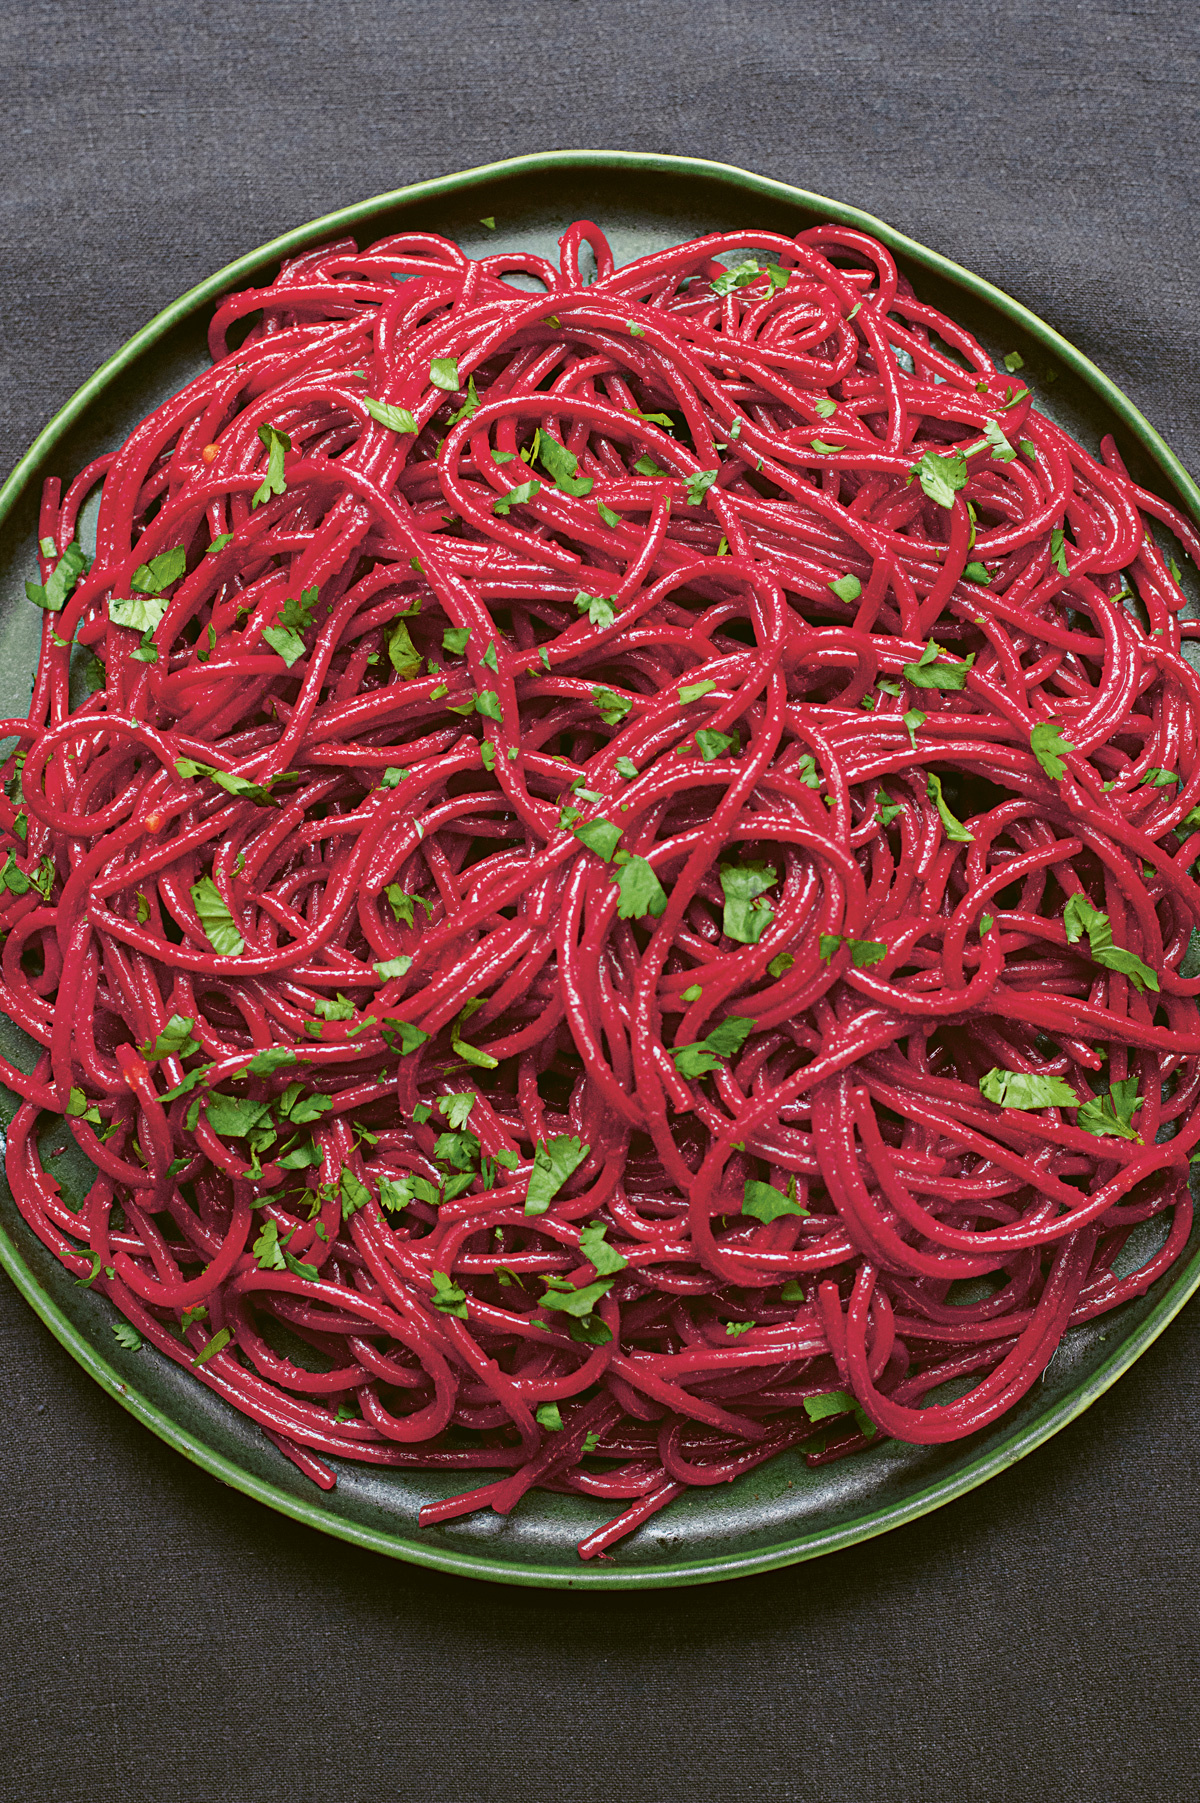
[624,841]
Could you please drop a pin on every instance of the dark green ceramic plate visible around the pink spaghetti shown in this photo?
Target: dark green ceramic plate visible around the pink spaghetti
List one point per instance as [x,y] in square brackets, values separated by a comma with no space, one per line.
[781,1512]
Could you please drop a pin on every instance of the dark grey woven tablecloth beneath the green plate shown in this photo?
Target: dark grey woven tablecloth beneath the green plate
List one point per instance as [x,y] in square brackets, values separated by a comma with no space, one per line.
[170,1640]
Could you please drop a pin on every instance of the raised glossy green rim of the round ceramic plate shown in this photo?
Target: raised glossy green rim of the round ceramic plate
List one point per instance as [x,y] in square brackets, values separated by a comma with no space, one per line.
[487,1568]
